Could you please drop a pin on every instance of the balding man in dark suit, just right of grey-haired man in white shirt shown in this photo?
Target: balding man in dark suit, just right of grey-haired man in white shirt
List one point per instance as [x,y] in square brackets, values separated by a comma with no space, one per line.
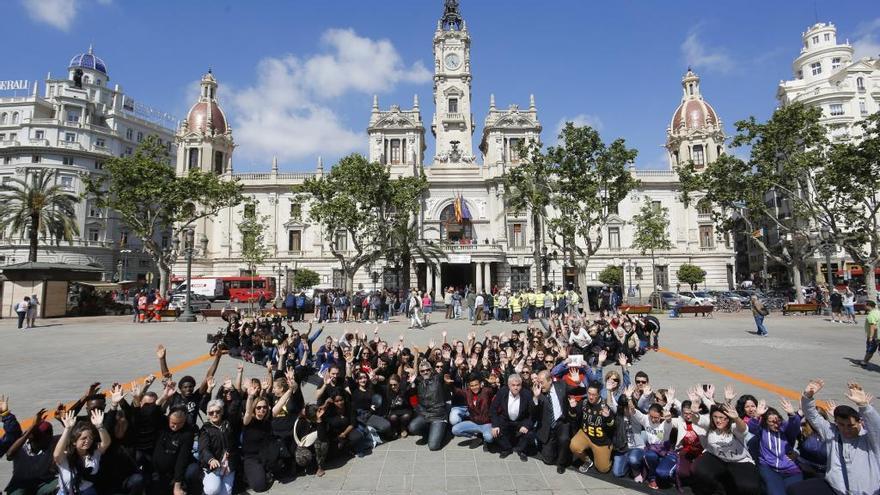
[553,432]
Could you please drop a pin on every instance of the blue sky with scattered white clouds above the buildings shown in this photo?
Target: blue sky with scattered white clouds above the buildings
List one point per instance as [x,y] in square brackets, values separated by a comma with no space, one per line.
[297,78]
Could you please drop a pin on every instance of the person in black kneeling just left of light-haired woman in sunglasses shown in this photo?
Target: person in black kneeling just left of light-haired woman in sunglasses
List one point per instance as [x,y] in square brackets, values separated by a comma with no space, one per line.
[174,470]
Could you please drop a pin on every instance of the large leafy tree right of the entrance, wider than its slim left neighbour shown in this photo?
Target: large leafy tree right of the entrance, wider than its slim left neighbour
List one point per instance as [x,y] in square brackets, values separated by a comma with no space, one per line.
[591,178]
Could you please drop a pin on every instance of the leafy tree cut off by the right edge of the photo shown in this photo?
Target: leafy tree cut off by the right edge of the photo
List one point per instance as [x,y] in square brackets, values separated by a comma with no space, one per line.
[850,181]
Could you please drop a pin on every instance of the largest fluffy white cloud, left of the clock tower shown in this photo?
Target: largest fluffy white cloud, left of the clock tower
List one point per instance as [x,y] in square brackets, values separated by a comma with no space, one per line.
[289,111]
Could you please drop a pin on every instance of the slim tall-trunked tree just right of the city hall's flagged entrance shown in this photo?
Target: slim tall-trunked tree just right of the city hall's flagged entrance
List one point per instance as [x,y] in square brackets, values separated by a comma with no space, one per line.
[528,187]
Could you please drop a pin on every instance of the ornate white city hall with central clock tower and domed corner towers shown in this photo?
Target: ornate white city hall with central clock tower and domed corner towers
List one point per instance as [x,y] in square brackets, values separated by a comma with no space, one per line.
[491,248]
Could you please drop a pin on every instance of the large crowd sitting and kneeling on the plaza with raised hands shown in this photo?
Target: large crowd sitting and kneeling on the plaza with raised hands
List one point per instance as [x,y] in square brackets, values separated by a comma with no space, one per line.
[562,388]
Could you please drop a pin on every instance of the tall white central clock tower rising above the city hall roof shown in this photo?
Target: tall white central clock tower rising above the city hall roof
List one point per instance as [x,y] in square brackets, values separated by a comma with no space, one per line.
[453,123]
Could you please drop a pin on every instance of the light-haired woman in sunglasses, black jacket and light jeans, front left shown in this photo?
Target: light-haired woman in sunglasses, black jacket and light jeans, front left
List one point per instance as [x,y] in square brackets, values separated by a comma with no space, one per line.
[218,452]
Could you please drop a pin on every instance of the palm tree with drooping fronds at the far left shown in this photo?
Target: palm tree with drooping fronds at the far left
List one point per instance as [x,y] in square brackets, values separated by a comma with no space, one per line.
[38,208]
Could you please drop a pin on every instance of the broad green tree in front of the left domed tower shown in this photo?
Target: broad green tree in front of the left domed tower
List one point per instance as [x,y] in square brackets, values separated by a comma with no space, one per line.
[150,198]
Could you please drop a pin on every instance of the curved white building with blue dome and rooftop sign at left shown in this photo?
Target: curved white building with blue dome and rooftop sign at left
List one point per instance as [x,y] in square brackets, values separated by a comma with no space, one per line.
[73,126]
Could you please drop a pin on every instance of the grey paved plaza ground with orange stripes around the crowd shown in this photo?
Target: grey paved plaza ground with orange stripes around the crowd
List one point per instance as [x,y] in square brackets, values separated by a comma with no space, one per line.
[56,361]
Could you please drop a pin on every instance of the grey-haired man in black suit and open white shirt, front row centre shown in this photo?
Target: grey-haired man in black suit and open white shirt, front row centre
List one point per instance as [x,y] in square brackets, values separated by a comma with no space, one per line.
[511,413]
